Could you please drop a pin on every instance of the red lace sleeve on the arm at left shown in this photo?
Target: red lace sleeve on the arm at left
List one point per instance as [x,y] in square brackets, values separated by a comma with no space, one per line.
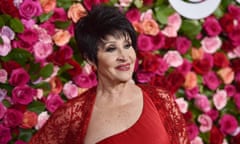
[55,129]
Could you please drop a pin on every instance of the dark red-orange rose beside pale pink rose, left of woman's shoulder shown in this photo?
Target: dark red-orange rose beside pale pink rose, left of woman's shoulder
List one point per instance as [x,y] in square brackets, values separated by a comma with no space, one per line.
[56,85]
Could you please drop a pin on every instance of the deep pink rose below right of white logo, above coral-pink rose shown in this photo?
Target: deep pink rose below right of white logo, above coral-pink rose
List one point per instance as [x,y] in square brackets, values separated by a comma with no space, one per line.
[212,26]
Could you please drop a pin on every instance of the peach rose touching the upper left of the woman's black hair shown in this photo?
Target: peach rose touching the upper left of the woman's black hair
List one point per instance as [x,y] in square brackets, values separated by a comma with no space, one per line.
[76,11]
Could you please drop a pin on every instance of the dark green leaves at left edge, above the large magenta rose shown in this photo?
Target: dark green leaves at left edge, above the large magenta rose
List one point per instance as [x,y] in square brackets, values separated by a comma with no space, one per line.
[19,55]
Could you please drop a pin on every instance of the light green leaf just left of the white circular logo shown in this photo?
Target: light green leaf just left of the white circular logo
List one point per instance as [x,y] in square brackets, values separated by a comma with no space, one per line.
[162,13]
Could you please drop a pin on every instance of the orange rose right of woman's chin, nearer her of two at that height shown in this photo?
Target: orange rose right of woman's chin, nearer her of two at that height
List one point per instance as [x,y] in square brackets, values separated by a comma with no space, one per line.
[190,80]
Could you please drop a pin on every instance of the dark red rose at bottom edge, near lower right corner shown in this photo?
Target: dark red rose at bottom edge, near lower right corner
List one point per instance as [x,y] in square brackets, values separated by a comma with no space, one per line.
[216,136]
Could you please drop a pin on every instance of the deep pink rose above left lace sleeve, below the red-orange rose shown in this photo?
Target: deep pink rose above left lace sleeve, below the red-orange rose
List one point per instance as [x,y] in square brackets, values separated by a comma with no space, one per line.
[53,102]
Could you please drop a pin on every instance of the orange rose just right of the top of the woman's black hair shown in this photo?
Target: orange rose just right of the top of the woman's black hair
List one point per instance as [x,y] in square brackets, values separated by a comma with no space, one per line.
[150,27]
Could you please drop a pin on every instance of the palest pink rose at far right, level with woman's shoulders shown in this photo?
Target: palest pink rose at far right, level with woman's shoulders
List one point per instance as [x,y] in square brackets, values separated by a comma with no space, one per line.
[220,99]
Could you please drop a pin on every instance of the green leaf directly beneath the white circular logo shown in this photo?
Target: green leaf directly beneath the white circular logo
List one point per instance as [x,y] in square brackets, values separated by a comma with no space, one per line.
[190,28]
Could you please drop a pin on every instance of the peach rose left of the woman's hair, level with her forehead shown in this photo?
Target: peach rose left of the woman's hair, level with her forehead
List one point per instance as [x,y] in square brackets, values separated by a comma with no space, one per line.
[61,37]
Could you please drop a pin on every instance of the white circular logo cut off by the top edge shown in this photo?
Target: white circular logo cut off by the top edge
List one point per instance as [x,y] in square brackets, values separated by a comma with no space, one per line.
[195,9]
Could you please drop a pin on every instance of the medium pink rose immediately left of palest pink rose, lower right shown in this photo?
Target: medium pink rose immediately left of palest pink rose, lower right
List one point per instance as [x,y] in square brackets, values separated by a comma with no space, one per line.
[202,102]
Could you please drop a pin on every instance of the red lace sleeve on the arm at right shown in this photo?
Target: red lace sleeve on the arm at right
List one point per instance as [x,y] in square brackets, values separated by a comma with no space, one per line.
[173,119]
